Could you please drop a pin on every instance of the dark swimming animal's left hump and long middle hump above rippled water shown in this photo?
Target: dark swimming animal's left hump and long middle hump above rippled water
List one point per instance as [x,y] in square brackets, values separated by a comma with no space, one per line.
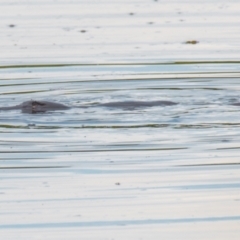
[45,106]
